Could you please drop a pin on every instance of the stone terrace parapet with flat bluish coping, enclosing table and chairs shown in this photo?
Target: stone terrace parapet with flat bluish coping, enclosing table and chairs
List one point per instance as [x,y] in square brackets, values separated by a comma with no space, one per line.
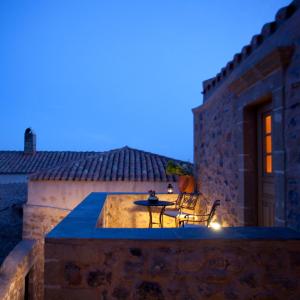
[85,258]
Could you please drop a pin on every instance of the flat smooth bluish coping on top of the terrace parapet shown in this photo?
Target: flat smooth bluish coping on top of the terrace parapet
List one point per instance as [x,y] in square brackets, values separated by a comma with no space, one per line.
[82,222]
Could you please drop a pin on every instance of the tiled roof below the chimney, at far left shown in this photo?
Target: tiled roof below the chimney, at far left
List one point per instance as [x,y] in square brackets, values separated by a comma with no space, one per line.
[17,162]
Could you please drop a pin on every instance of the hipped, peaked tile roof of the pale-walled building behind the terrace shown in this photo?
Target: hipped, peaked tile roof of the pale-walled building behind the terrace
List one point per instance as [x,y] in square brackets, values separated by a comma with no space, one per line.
[124,164]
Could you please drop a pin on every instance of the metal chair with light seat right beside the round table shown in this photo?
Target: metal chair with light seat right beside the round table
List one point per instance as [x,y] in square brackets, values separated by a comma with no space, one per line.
[184,202]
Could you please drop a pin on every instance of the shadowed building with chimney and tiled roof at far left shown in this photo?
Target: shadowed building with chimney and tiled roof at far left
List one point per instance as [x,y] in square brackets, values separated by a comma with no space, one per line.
[15,168]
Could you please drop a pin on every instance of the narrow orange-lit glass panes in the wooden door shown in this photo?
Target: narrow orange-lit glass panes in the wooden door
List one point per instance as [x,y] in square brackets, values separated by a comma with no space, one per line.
[267,137]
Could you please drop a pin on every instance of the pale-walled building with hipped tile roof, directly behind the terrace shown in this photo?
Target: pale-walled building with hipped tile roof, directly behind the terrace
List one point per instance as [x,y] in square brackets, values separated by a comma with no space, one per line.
[53,193]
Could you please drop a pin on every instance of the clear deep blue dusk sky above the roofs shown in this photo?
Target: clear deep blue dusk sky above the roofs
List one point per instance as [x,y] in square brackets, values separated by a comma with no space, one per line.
[98,75]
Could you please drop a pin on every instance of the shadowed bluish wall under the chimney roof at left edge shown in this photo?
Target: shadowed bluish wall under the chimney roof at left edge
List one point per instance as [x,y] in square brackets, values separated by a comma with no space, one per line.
[12,197]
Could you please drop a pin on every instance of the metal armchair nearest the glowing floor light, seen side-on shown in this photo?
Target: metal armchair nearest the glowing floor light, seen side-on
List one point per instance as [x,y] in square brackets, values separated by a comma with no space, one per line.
[193,220]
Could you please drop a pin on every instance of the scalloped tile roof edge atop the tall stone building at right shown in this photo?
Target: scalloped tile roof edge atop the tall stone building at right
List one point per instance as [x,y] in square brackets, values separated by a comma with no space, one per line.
[282,15]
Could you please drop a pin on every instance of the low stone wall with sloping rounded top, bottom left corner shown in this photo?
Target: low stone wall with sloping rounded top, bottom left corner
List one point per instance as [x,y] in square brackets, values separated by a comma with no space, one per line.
[18,275]
